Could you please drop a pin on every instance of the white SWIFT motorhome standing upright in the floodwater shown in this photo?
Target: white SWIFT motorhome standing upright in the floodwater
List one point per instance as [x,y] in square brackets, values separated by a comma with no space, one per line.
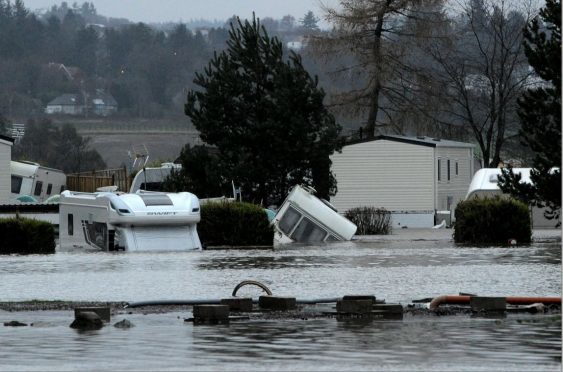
[144,221]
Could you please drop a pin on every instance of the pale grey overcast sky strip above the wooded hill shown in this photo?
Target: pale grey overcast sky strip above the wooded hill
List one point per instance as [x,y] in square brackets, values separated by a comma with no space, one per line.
[185,10]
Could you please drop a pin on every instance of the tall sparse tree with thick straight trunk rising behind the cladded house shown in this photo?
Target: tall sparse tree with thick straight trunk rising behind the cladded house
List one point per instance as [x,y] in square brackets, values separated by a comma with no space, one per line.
[368,38]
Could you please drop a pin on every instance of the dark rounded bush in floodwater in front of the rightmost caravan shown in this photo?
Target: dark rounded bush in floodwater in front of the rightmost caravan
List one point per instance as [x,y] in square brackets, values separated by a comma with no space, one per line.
[492,221]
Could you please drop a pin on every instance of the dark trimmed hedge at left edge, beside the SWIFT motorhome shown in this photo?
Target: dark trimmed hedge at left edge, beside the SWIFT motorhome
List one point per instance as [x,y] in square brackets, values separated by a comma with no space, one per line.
[26,236]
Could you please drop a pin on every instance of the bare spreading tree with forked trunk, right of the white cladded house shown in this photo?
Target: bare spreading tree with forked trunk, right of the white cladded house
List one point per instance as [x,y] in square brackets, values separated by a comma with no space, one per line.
[483,67]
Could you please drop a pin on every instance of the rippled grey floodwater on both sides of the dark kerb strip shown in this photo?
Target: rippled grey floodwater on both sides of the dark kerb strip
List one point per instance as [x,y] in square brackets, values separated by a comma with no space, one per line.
[408,265]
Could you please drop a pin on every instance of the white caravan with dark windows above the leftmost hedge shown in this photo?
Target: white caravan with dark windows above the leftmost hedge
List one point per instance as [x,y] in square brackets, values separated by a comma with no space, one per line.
[33,179]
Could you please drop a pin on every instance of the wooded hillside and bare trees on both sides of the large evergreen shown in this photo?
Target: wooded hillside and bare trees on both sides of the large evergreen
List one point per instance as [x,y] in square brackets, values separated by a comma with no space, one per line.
[431,71]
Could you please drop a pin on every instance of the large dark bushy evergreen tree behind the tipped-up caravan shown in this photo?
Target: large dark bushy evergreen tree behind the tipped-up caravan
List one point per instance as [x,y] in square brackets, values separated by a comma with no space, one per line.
[265,115]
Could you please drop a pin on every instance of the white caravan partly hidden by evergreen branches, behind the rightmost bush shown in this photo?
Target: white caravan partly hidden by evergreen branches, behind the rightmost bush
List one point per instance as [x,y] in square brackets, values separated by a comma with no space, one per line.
[485,184]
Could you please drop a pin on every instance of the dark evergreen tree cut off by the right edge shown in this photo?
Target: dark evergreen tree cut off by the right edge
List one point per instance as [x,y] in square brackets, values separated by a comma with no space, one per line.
[540,115]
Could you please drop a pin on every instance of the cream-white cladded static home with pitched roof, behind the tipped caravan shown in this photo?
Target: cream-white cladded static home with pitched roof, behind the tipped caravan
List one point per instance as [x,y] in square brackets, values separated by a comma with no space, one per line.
[415,178]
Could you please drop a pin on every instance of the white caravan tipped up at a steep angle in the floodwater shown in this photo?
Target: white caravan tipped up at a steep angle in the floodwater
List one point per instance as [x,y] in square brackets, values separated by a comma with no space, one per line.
[304,218]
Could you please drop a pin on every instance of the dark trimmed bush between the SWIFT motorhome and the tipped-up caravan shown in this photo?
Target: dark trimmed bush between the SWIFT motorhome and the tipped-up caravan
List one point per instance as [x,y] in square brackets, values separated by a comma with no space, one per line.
[234,224]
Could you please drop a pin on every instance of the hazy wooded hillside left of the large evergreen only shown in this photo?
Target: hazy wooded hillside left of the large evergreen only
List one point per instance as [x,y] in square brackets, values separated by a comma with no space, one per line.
[146,70]
